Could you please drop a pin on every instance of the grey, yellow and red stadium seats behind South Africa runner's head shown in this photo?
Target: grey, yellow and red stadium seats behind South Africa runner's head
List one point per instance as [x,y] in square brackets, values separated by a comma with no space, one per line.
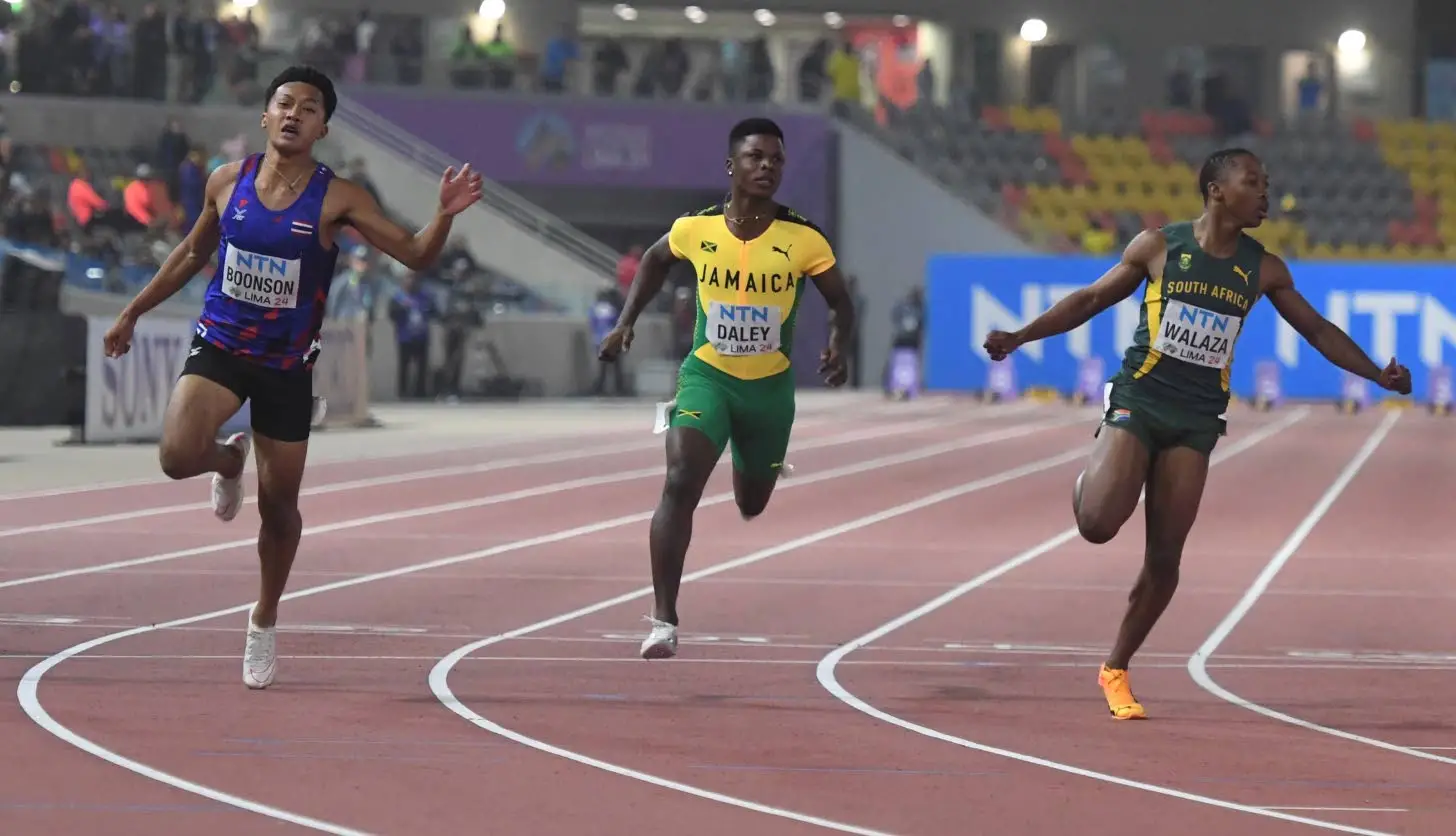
[1359,192]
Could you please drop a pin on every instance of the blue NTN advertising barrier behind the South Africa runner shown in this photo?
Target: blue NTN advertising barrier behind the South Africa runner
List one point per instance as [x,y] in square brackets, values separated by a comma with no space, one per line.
[1391,311]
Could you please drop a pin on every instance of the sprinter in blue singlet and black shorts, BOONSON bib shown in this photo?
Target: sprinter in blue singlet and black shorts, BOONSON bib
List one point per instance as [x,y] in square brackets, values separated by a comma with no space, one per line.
[273,222]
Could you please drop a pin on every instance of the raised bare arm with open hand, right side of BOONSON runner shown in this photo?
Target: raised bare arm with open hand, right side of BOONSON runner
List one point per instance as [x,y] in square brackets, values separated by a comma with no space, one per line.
[416,251]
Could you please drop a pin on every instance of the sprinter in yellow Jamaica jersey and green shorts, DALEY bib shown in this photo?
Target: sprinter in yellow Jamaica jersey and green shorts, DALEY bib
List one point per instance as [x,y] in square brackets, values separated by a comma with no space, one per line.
[753,260]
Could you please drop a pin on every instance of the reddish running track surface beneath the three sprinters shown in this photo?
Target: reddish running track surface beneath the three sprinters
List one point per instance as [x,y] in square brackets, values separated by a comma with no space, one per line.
[355,735]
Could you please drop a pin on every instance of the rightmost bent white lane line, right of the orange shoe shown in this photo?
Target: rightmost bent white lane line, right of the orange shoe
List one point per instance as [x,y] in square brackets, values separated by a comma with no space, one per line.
[1199,662]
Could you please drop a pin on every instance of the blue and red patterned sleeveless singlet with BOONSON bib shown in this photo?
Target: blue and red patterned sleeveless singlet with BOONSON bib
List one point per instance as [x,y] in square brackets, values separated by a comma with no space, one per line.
[267,299]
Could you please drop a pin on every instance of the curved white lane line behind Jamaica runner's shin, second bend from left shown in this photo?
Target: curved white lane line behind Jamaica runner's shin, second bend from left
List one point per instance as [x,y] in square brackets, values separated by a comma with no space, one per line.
[440,675]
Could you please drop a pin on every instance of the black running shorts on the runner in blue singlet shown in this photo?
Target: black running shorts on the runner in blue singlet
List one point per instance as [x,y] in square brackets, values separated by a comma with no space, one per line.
[282,400]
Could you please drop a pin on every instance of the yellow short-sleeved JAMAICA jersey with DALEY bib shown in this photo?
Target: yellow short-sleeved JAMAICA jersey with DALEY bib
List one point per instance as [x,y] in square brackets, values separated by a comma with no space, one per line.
[749,292]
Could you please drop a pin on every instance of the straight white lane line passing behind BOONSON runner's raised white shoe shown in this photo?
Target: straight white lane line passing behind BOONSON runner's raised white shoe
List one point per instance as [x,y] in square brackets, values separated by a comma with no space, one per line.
[557,458]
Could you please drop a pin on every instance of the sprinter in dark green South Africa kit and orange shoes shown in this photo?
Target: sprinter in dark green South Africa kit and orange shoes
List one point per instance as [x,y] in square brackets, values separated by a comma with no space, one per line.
[1166,409]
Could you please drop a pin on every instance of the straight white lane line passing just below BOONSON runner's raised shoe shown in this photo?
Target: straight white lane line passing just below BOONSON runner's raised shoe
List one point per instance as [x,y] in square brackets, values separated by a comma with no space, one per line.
[531,493]
